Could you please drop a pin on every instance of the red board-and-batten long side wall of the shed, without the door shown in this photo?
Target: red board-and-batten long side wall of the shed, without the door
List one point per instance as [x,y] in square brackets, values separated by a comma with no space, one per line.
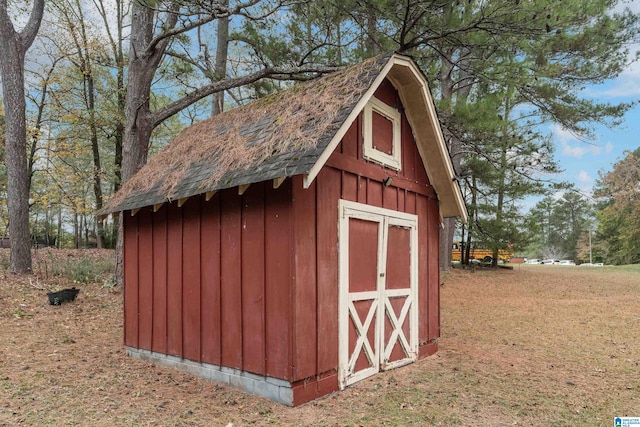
[211,281]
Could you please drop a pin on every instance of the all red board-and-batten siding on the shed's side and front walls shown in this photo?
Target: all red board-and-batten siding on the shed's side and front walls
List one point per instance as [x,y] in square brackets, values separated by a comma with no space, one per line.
[251,281]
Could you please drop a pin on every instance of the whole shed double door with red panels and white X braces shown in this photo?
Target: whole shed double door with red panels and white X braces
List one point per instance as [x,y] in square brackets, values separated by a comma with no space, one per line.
[378,275]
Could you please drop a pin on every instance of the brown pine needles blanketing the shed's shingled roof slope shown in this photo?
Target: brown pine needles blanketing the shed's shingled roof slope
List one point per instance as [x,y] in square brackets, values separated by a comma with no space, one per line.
[295,120]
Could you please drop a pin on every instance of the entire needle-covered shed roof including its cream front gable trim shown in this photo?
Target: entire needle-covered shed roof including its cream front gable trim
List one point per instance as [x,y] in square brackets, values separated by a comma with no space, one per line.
[290,133]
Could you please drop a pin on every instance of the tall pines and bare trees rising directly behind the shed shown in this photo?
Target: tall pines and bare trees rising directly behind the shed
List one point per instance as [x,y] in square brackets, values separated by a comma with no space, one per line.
[91,88]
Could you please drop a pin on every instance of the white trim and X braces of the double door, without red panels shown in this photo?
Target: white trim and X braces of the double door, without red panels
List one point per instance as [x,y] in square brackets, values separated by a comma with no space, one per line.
[381,306]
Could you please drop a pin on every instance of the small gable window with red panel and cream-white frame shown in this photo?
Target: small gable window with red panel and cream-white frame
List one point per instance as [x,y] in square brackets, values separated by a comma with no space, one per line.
[382,134]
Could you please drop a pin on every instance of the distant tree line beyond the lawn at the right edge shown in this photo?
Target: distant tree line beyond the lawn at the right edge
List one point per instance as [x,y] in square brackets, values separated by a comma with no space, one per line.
[602,228]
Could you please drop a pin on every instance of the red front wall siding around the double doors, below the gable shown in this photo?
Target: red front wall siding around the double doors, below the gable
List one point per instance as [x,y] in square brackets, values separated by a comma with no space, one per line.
[327,296]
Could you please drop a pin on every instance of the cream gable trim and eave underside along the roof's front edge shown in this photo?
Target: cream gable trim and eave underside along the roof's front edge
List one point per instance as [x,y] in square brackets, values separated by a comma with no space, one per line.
[408,81]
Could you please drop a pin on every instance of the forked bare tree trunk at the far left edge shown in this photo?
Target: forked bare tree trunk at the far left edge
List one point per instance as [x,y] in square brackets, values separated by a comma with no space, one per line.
[13,46]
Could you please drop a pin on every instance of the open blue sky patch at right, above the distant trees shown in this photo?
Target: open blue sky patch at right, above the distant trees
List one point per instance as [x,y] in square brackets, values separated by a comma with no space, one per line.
[581,160]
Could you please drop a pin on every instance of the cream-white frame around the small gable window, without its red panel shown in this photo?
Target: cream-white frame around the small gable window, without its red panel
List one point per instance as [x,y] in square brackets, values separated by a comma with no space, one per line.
[393,161]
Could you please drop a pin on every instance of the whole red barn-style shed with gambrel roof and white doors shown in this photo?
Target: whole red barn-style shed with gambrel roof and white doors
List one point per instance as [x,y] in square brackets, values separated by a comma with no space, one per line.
[289,247]
